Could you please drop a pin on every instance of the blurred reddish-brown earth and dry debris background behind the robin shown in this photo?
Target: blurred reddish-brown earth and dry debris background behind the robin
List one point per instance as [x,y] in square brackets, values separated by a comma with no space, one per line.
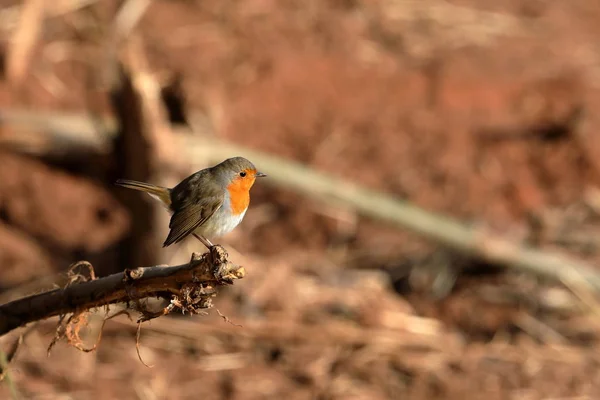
[484,111]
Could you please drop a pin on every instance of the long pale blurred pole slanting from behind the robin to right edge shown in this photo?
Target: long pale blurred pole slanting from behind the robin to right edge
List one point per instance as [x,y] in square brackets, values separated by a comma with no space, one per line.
[369,203]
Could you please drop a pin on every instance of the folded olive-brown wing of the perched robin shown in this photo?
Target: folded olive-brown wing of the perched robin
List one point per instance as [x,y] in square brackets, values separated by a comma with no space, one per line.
[190,212]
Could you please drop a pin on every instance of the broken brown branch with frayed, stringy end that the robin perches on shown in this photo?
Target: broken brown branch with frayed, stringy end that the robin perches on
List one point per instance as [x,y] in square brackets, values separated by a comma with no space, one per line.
[188,286]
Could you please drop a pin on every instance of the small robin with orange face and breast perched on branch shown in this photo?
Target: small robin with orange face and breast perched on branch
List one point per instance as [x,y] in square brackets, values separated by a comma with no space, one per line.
[208,203]
